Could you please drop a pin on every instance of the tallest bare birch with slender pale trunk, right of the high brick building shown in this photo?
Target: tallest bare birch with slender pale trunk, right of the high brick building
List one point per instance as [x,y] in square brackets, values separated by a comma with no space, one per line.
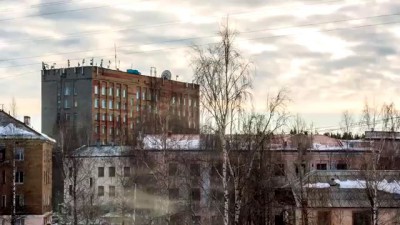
[224,79]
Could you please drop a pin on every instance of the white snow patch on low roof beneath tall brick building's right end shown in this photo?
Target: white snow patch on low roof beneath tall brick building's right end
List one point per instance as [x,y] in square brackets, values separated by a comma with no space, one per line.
[174,142]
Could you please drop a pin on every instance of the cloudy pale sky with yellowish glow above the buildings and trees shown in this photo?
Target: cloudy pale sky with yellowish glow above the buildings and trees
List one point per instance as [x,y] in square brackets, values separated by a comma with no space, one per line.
[331,55]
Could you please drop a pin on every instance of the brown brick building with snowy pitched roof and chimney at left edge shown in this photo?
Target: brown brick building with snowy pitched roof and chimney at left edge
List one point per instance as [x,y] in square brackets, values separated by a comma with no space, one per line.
[25,173]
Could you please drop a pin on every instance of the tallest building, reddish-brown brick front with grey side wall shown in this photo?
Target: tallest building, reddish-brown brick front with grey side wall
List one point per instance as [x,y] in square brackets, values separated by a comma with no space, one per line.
[97,105]
